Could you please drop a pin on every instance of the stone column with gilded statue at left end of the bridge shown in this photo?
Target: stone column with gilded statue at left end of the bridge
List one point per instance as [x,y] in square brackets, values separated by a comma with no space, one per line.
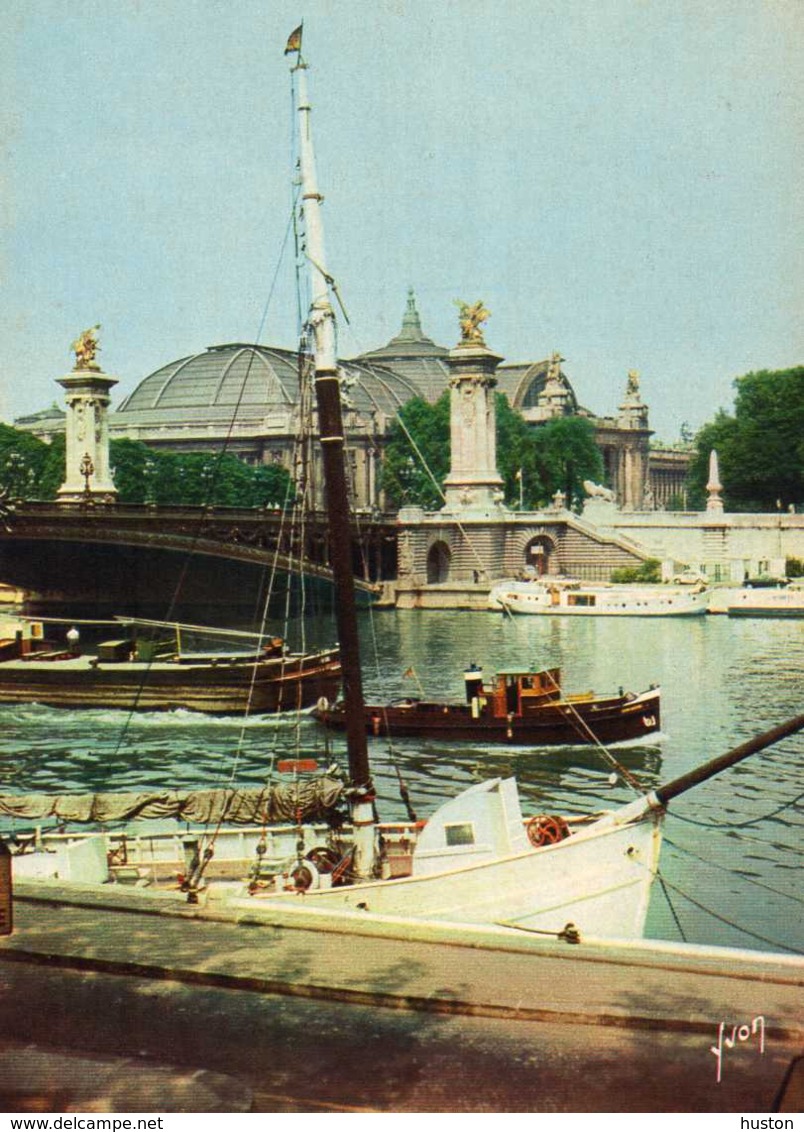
[88,475]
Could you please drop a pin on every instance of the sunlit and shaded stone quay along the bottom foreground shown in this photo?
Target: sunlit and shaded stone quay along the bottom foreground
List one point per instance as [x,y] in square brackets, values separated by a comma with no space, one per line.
[192,1014]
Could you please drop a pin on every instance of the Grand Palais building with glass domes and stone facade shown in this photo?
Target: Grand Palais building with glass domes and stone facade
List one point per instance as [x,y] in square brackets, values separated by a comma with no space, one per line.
[246,397]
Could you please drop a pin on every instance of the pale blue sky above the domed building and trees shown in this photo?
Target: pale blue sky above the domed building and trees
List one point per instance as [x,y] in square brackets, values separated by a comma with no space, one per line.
[615,179]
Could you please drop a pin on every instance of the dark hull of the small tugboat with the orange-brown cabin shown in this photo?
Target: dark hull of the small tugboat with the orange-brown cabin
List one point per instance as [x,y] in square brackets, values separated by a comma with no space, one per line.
[557,724]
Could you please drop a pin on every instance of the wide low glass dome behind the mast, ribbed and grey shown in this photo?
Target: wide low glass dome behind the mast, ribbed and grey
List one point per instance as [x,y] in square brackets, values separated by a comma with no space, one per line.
[254,381]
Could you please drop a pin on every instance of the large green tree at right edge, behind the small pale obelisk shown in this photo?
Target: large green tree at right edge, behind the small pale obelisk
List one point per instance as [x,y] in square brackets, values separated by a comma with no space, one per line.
[760,447]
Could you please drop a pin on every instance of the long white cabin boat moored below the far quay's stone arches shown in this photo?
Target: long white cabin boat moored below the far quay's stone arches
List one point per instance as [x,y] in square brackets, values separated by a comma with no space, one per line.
[560,597]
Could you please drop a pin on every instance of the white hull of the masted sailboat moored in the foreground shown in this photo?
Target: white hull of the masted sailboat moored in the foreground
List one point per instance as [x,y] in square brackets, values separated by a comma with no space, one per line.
[598,880]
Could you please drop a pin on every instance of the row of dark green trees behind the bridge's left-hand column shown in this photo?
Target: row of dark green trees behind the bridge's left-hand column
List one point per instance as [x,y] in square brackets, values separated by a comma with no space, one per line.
[33,470]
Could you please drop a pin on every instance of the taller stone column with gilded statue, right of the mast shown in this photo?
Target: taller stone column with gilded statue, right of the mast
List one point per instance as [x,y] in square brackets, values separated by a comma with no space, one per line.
[474,483]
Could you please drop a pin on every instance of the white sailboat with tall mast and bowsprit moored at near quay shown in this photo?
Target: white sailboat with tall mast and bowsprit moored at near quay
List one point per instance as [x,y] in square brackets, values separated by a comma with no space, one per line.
[477,861]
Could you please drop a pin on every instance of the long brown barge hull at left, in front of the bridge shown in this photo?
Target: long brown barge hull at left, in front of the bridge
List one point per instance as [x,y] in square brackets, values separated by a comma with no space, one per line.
[270,685]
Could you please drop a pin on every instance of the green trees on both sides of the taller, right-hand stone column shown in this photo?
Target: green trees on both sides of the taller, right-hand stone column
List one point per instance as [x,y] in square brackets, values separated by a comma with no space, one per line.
[534,462]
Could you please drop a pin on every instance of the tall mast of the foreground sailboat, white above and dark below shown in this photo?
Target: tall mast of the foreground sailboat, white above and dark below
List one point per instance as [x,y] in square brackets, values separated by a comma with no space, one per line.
[333,445]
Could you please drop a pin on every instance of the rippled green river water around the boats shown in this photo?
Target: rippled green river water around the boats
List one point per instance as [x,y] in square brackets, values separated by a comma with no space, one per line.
[732,854]
